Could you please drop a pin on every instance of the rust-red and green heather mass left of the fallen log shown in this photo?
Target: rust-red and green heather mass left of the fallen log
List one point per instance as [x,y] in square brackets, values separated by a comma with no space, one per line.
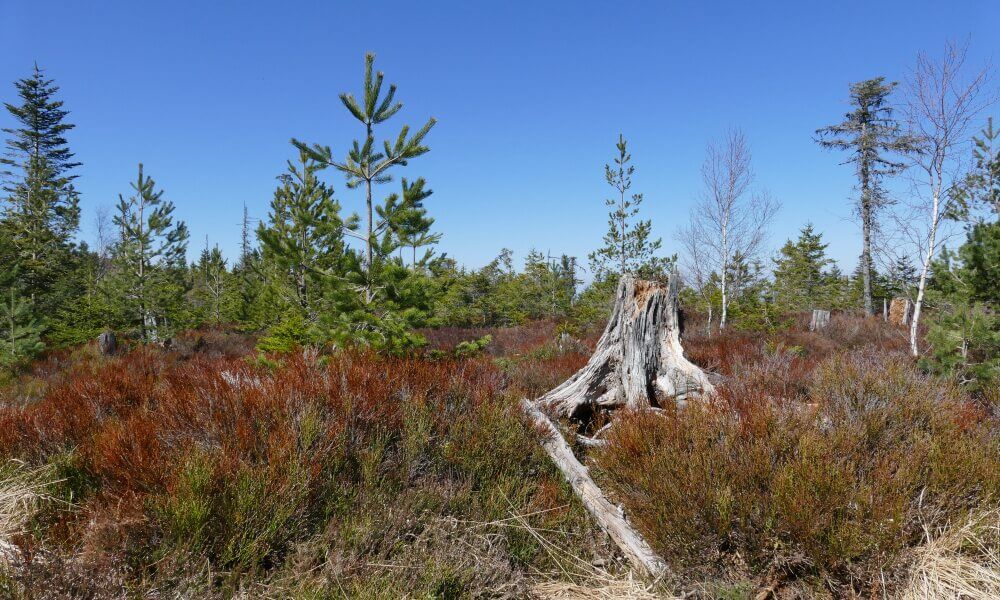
[196,458]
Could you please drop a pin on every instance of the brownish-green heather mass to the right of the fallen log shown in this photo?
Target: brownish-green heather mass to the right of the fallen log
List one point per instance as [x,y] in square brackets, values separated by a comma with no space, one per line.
[836,487]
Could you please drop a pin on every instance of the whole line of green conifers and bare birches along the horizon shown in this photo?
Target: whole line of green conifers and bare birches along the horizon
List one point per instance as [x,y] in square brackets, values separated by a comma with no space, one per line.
[311,273]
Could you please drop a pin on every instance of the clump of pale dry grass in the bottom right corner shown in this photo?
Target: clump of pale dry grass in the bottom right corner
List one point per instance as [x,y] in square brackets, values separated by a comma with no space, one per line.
[959,563]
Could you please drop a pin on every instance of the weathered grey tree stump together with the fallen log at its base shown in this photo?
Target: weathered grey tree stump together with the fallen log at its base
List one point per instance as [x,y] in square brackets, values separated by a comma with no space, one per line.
[638,364]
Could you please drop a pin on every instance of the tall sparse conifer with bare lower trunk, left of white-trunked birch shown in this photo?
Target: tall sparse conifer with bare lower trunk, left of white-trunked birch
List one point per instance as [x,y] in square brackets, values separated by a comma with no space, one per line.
[873,136]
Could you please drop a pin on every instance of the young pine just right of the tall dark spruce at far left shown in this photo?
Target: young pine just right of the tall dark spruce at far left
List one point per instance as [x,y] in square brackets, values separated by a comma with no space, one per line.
[149,259]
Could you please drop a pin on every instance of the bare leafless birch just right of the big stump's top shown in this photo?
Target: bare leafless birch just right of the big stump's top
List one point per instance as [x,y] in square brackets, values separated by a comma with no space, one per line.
[730,218]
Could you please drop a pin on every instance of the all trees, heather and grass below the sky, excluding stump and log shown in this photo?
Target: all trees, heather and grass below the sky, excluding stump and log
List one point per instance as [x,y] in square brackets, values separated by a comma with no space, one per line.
[333,413]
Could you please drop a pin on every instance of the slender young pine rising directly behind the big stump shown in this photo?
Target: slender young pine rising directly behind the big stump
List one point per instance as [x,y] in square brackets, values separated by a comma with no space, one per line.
[627,244]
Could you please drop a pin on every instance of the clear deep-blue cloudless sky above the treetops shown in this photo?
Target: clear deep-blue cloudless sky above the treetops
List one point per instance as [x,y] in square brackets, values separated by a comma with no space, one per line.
[530,98]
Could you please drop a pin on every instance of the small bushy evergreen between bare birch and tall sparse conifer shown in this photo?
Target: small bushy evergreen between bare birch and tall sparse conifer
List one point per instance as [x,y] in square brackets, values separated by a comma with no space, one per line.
[799,280]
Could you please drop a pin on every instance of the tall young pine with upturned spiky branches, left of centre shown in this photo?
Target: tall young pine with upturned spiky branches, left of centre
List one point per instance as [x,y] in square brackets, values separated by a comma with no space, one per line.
[366,165]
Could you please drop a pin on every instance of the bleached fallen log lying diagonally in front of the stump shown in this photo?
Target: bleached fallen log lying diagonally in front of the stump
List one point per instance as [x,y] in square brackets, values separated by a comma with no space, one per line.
[608,516]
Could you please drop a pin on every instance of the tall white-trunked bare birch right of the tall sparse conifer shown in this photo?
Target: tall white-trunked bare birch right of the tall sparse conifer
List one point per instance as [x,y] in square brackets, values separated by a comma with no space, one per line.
[944,100]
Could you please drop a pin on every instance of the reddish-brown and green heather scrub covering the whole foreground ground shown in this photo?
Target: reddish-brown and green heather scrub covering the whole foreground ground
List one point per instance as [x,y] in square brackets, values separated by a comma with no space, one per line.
[828,466]
